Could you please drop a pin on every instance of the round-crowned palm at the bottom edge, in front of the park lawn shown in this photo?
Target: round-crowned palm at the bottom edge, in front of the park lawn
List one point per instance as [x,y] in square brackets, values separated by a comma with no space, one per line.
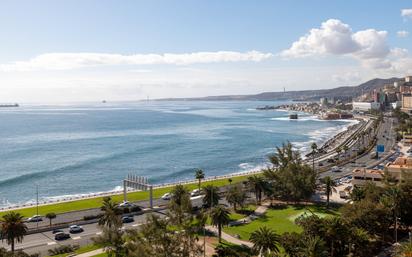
[265,241]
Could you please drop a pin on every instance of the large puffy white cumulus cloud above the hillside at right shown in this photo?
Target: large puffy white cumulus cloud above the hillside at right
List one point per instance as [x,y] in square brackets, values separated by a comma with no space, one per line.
[337,38]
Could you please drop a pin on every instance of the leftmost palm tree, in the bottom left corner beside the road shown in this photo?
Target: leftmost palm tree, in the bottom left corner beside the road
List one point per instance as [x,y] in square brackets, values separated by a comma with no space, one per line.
[13,229]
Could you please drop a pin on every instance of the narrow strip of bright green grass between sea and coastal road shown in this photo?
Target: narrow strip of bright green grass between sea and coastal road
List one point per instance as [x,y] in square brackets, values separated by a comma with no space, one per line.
[97,202]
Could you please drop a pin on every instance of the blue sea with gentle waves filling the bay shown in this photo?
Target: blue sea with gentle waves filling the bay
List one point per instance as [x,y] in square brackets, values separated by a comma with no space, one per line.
[77,149]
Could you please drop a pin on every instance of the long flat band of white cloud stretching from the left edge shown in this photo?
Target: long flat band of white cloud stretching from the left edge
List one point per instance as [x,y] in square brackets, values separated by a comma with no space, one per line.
[64,61]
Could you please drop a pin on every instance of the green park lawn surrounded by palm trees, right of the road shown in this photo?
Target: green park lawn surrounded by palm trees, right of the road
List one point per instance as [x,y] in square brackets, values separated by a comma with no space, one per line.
[281,220]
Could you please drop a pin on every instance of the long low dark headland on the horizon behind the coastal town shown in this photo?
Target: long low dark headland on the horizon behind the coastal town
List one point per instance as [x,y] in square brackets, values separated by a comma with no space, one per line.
[340,92]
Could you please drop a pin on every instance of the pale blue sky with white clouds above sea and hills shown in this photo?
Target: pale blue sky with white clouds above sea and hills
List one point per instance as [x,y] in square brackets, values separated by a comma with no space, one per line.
[85,50]
